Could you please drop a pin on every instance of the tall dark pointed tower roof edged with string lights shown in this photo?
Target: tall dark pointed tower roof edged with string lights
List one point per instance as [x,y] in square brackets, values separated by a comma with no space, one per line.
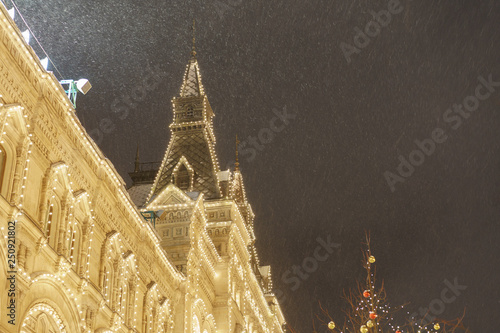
[190,161]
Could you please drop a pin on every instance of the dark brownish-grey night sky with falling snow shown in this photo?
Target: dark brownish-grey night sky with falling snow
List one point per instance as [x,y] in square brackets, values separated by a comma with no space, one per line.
[323,173]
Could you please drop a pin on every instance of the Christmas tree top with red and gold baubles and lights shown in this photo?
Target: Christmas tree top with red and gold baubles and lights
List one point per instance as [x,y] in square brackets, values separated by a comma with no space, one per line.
[369,311]
